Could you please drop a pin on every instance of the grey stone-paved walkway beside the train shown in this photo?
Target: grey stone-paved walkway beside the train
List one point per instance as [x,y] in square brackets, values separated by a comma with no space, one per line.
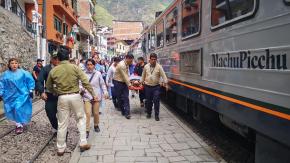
[143,140]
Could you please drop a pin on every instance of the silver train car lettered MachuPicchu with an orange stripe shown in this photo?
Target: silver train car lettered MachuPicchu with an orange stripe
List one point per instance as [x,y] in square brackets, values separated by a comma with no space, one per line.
[229,60]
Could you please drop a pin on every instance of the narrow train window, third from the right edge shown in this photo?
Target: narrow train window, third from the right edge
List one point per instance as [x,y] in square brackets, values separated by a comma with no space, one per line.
[171,27]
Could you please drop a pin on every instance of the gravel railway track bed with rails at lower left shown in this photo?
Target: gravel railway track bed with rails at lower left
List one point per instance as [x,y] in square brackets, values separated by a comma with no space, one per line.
[37,143]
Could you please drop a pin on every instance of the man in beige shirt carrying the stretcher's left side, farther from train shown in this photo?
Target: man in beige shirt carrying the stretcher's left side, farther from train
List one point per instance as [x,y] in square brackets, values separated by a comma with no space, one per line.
[122,85]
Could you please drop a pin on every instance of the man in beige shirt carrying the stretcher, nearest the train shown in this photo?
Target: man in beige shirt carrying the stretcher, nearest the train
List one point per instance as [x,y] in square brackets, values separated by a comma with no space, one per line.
[151,76]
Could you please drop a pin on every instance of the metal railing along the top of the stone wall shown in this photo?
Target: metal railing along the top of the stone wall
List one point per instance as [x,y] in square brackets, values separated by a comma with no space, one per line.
[14,7]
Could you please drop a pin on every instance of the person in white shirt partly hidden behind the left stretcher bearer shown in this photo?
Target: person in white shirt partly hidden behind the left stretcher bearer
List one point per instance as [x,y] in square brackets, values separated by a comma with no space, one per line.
[109,80]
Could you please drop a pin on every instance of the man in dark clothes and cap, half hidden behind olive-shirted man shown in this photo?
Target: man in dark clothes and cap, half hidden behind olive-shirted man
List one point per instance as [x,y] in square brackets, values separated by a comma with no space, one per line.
[49,98]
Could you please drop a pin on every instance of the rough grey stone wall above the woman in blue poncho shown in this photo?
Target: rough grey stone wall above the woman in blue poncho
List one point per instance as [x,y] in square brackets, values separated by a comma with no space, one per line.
[15,42]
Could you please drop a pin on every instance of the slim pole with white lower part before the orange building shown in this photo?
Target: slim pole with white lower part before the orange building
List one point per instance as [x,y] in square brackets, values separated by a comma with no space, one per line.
[43,40]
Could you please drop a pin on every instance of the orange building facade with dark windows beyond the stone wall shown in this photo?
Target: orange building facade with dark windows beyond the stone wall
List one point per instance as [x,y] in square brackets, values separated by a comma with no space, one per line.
[61,16]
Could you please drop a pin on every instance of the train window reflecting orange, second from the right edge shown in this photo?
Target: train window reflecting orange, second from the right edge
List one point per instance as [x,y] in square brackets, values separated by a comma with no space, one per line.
[190,17]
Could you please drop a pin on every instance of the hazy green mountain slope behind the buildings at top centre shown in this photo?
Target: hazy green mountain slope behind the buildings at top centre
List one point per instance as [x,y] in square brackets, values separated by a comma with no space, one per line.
[141,10]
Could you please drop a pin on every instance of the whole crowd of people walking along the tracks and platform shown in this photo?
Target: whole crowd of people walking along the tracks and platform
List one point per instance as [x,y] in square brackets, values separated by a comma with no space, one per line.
[67,86]
